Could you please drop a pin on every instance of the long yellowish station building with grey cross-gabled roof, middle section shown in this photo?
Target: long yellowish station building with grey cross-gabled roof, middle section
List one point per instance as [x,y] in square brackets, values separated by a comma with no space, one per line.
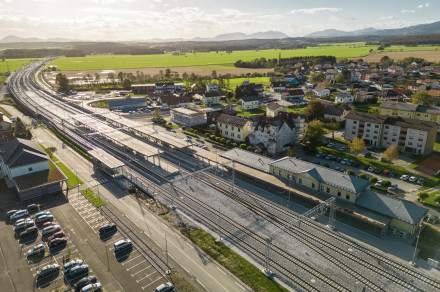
[319,178]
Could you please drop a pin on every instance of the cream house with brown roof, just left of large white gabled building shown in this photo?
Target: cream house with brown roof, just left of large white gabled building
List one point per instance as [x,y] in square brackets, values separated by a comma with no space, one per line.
[233,128]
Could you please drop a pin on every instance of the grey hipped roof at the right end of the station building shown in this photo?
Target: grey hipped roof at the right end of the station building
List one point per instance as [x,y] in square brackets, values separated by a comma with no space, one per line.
[393,207]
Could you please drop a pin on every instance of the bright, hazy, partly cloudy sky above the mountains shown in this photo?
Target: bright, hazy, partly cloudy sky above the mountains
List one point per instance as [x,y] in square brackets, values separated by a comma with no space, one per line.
[137,20]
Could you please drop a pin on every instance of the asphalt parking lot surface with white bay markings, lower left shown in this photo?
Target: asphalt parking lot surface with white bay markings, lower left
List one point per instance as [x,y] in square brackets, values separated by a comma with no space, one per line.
[126,271]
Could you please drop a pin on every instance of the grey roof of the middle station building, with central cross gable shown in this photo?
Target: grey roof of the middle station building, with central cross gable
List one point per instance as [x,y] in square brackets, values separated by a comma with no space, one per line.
[323,174]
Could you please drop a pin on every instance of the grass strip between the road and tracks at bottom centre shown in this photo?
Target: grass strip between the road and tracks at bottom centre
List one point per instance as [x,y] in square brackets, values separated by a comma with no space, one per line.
[248,273]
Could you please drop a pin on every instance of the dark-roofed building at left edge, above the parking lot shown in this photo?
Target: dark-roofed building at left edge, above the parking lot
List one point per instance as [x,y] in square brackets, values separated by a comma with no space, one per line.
[25,166]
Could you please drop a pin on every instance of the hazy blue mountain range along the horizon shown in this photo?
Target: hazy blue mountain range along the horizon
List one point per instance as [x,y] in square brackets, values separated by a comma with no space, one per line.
[420,29]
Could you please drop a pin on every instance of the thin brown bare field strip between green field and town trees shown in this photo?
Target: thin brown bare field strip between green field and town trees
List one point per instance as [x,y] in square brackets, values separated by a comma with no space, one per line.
[155,70]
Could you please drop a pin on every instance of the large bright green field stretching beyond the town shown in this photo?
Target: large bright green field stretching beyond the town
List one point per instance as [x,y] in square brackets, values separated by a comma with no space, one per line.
[209,61]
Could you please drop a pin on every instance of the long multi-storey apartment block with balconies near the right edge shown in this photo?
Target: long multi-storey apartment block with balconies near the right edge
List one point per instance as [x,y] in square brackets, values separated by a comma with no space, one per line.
[410,135]
